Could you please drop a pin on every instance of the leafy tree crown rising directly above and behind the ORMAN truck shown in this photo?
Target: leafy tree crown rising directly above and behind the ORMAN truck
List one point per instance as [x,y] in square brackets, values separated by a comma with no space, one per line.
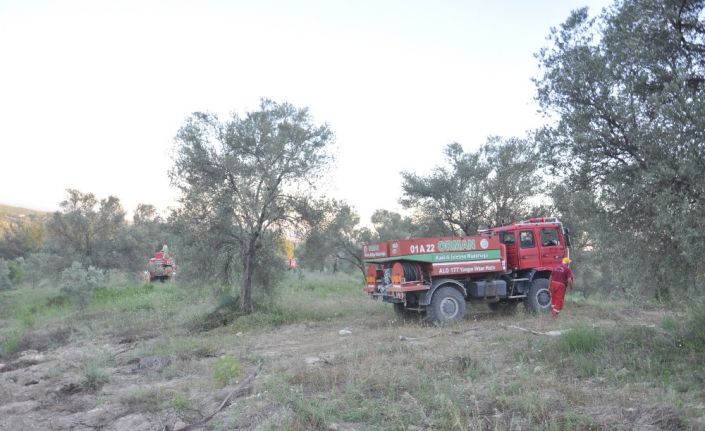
[477,189]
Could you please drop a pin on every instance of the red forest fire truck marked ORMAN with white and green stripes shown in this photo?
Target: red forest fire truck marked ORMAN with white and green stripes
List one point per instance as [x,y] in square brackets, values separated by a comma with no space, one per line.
[501,266]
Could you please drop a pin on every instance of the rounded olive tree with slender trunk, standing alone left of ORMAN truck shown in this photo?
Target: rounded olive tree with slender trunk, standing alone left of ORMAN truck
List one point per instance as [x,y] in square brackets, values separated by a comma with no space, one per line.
[241,178]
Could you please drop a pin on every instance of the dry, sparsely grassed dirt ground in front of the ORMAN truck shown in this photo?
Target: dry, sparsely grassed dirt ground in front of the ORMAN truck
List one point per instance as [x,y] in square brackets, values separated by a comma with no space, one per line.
[151,380]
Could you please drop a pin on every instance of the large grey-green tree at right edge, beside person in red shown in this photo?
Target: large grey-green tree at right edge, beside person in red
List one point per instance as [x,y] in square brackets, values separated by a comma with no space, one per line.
[628,91]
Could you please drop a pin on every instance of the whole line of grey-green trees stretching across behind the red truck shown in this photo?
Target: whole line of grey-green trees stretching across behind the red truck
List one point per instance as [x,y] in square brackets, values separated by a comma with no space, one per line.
[620,161]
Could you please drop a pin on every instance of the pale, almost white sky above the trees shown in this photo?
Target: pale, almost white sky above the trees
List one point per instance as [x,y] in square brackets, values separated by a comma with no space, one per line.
[93,92]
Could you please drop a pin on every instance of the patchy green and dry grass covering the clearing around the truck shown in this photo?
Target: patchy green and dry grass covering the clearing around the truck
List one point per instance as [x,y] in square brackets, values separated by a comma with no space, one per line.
[475,375]
